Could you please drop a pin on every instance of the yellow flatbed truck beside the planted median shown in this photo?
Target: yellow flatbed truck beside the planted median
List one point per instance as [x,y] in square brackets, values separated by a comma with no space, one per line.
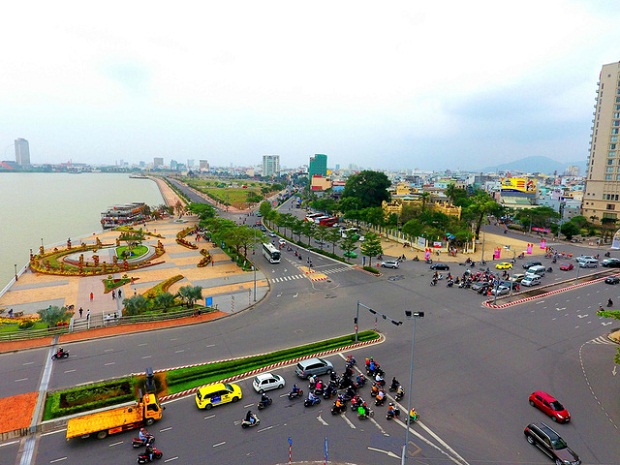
[116,418]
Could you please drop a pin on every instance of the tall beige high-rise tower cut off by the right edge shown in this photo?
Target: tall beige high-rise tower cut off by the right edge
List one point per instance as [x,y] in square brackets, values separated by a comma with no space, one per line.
[602,191]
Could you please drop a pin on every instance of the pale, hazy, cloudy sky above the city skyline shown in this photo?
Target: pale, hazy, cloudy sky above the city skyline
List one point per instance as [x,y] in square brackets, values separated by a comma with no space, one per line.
[381,85]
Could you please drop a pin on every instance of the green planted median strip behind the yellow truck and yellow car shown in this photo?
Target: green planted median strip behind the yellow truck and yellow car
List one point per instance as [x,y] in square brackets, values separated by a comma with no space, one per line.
[102,394]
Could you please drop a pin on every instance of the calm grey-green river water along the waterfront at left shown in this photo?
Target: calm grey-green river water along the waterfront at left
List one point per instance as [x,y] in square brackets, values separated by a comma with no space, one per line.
[52,207]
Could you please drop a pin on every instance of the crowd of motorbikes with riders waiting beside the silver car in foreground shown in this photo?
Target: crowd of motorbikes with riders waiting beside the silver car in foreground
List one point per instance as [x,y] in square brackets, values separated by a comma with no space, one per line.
[345,391]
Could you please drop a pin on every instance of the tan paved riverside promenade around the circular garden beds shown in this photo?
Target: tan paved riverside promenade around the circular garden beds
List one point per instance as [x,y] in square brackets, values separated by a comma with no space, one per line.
[229,288]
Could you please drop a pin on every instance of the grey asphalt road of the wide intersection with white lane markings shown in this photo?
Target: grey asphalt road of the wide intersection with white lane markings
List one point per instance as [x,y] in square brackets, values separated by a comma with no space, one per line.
[473,372]
